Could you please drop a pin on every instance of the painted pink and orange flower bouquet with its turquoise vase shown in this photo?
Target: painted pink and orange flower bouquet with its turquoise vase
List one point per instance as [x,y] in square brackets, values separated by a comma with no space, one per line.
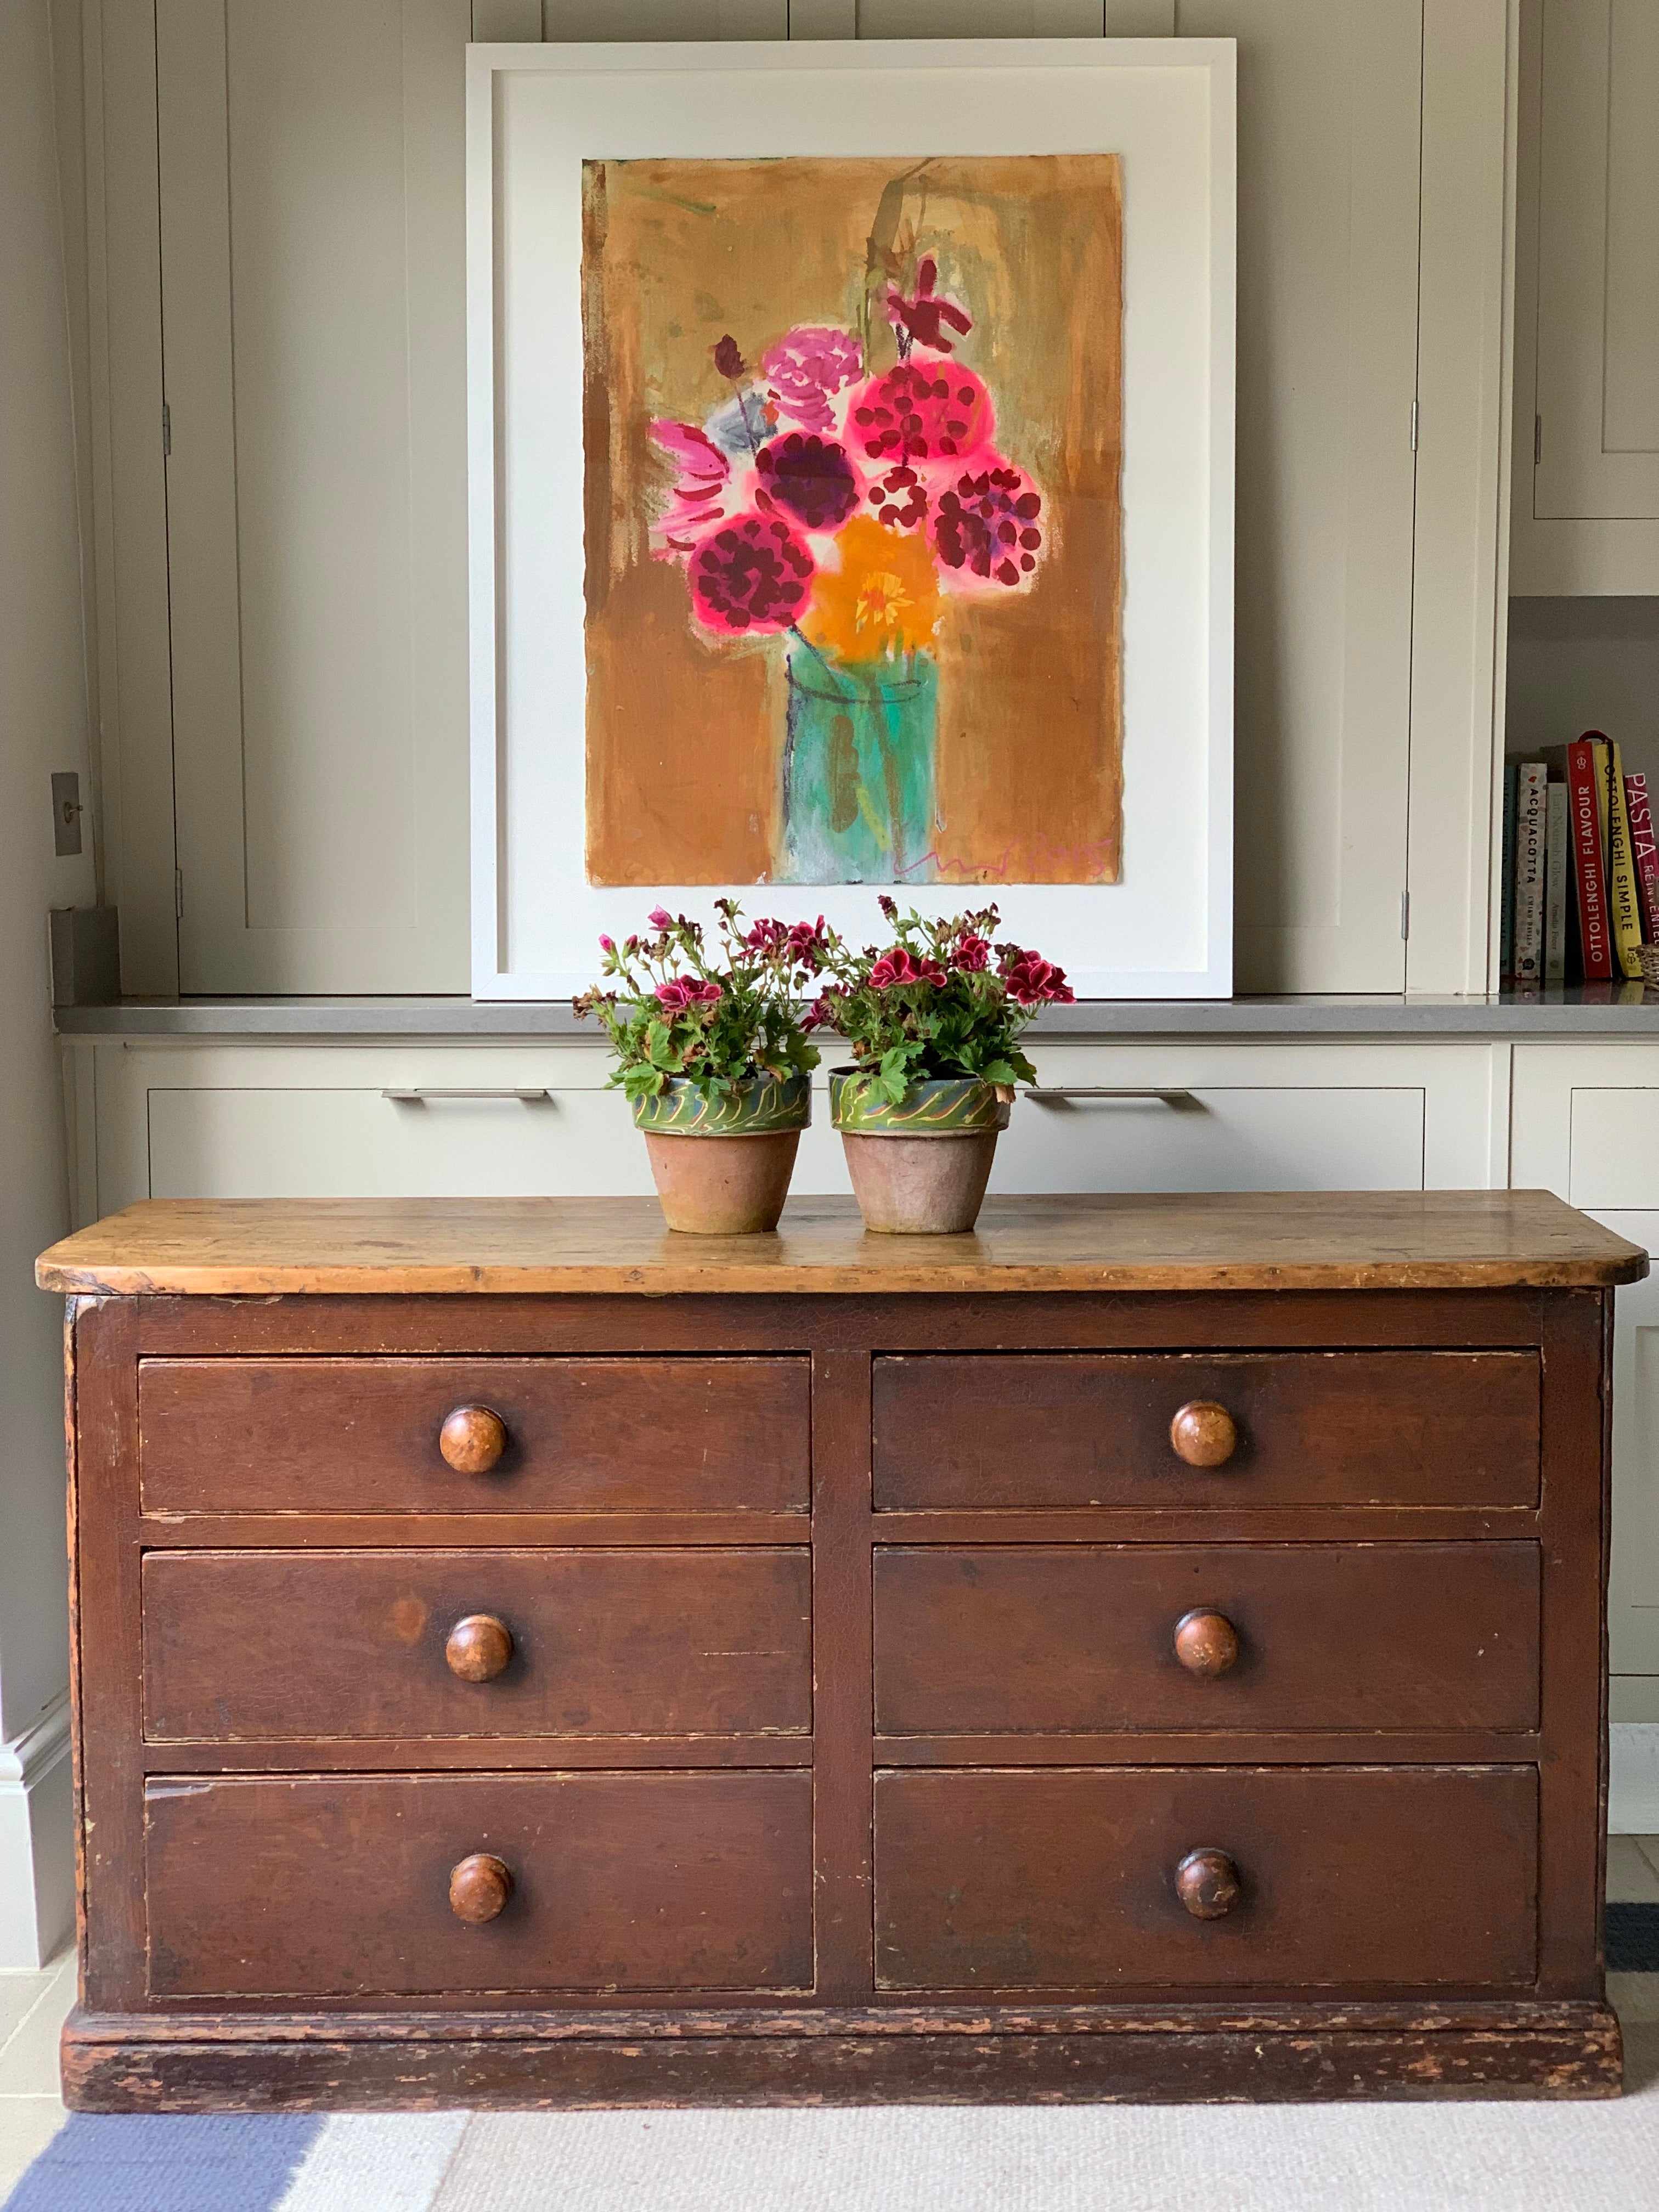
[837,505]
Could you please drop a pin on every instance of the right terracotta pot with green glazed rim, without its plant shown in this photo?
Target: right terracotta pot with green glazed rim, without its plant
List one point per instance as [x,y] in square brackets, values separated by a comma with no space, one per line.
[919,1169]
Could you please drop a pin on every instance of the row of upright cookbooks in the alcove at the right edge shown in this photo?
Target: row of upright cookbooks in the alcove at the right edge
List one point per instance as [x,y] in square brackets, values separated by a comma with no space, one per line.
[1580,893]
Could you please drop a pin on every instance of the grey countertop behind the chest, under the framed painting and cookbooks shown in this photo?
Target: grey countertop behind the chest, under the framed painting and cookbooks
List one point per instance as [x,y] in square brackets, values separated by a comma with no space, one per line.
[1576,1012]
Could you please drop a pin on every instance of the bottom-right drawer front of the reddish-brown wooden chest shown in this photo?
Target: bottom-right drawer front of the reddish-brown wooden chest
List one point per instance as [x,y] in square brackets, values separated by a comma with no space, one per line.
[1067,1881]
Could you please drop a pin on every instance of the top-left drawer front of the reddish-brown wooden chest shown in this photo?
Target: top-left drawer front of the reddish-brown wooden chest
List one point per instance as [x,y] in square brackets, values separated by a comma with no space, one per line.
[583,1437]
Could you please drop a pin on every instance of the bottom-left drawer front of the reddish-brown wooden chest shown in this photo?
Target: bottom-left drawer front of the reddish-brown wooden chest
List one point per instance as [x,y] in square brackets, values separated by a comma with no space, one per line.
[337,1888]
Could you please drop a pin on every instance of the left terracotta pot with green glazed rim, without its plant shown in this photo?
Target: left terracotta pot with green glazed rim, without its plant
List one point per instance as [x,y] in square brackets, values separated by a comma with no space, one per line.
[722,1167]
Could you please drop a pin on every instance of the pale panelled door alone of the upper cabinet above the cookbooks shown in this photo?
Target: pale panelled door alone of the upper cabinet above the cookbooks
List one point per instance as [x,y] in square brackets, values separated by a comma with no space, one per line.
[1598,271]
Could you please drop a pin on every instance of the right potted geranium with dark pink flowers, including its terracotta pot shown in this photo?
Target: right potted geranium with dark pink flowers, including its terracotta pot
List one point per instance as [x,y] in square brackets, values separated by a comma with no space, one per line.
[935,1025]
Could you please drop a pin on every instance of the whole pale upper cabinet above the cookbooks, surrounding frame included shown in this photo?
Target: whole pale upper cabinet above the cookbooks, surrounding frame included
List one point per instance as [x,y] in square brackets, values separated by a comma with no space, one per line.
[1587,351]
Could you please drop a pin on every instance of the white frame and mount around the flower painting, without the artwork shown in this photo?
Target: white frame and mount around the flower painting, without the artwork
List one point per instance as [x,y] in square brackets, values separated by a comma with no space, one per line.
[534,114]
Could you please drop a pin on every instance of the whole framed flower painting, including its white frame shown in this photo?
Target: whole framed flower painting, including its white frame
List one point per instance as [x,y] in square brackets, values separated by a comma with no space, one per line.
[853,494]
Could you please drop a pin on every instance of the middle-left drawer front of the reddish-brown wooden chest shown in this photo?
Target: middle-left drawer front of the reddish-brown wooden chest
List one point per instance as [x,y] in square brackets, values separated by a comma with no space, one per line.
[284,1645]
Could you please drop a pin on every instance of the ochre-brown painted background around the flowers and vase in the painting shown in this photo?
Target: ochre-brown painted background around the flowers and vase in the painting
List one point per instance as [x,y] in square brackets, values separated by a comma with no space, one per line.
[685,731]
